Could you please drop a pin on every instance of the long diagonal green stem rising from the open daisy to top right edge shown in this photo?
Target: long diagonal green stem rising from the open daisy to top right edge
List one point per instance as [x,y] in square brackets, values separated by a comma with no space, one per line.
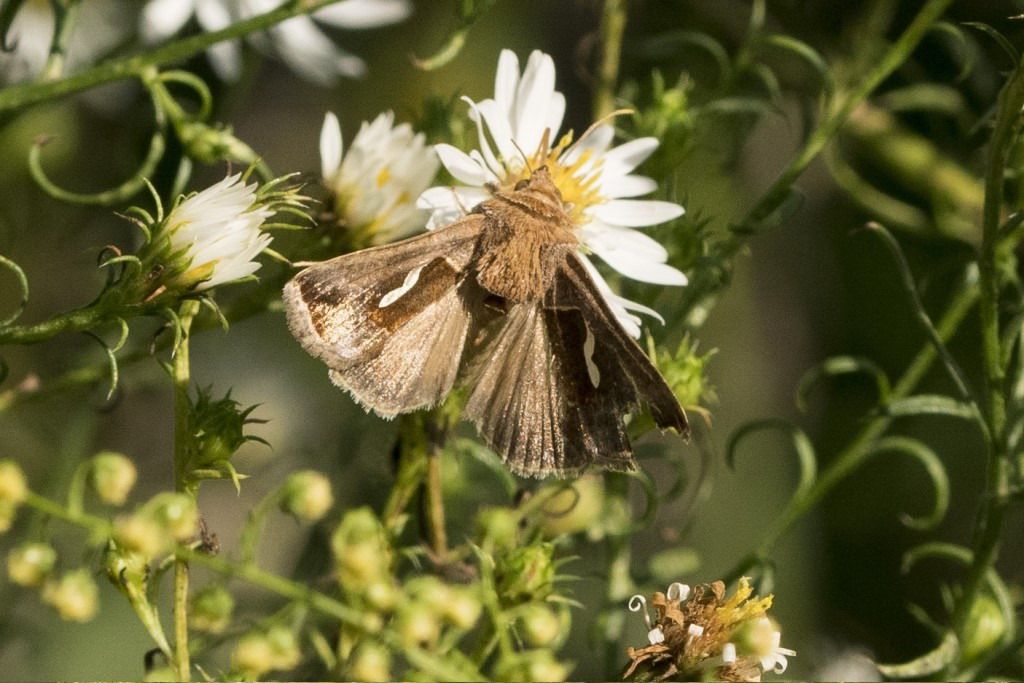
[708,282]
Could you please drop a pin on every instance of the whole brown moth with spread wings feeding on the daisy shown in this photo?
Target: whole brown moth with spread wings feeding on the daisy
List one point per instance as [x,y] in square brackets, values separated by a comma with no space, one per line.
[500,303]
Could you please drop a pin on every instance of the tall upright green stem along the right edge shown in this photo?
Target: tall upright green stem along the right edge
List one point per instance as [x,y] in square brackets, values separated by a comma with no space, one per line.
[997,498]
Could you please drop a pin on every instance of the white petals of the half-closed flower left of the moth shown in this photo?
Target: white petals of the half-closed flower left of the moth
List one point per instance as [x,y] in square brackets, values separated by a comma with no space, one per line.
[219,231]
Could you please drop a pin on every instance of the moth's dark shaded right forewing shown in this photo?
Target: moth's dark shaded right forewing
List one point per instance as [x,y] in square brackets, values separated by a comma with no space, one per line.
[625,374]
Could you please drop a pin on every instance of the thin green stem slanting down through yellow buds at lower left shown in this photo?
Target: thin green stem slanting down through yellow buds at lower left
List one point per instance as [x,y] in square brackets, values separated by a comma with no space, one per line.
[436,667]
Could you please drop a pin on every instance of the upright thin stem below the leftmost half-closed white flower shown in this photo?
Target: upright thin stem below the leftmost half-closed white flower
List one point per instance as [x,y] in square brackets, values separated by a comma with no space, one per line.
[181,376]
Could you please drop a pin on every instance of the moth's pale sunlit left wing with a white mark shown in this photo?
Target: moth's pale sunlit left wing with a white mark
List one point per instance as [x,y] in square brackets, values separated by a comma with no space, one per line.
[391,322]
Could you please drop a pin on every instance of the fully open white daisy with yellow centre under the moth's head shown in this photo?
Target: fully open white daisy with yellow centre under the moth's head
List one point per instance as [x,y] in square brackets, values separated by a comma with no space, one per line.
[595,180]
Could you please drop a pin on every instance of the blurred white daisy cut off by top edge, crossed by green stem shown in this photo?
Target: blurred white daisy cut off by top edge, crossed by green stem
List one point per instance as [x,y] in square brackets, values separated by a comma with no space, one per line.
[298,41]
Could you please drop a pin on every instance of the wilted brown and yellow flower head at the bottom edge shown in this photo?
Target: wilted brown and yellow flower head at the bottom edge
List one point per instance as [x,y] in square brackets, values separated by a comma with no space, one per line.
[703,632]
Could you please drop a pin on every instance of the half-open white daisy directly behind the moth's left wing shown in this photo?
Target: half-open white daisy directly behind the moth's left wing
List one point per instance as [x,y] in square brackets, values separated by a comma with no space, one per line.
[376,183]
